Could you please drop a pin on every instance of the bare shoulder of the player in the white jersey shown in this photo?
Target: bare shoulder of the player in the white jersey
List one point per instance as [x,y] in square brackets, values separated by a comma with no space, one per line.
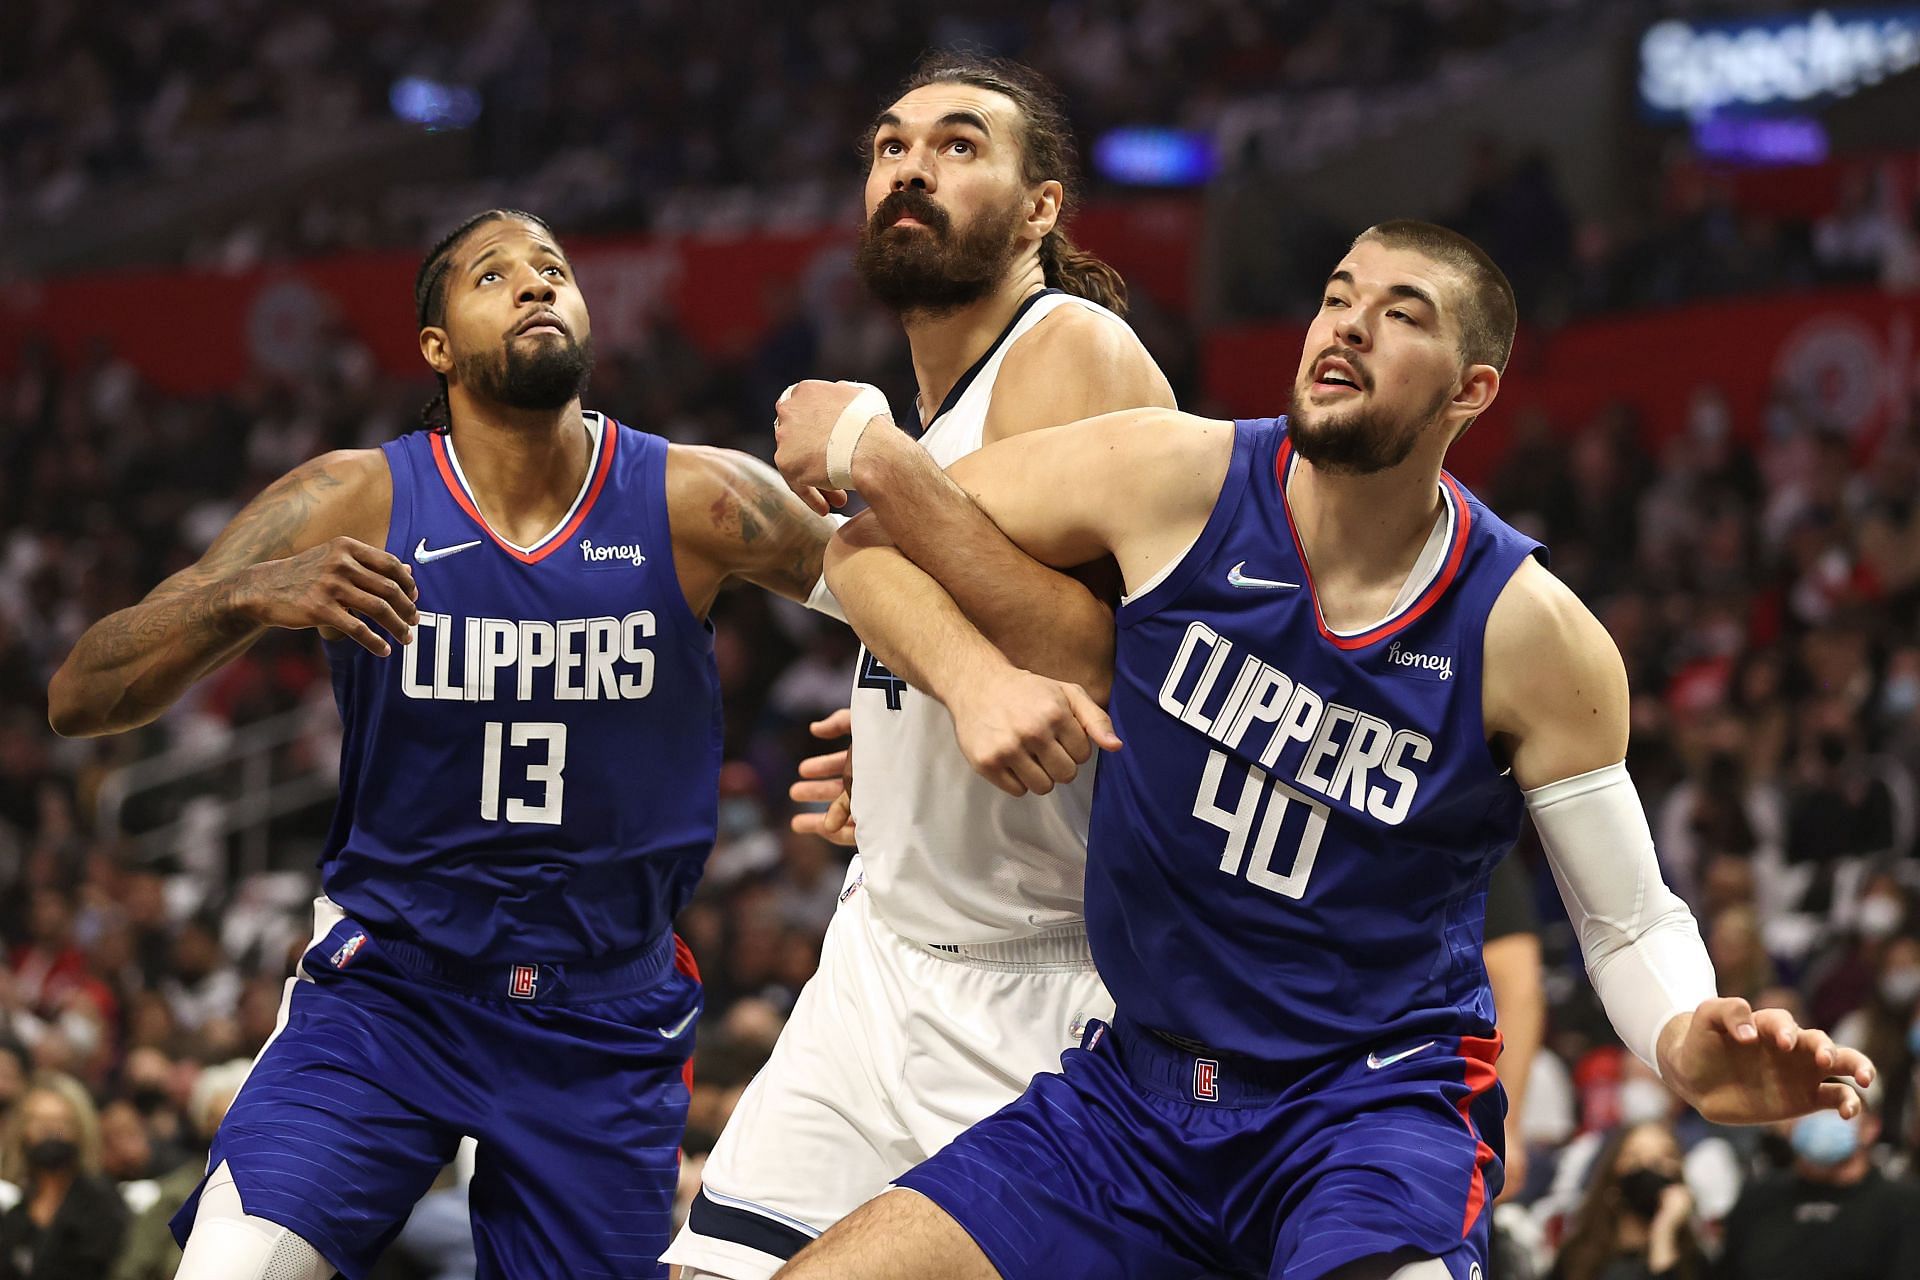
[1074,364]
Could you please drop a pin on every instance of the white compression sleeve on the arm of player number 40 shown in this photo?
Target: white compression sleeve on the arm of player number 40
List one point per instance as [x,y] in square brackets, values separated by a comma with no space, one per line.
[1641,943]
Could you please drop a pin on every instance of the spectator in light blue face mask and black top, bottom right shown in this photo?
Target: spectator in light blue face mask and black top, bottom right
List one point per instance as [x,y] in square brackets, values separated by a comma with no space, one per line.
[1835,1216]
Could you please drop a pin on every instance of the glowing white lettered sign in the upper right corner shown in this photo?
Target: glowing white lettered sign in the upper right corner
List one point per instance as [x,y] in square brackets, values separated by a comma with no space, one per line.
[1692,70]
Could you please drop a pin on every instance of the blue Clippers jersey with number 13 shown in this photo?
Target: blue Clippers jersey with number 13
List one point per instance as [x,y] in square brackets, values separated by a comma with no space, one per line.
[537,774]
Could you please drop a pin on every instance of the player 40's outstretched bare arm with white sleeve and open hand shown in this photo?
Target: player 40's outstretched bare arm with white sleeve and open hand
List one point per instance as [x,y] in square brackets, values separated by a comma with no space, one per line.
[1556,701]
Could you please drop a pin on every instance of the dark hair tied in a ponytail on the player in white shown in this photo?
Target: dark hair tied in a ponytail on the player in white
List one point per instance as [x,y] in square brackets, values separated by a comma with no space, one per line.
[1045,153]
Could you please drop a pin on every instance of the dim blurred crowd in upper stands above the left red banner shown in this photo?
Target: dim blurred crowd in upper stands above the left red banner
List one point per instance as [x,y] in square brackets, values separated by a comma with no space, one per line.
[633,114]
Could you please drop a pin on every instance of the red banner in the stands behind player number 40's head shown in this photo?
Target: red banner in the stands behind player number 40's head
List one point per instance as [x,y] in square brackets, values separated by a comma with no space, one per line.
[1850,354]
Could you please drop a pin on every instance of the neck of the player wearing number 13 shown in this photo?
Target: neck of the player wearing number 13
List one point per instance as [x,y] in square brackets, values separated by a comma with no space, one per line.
[525,467]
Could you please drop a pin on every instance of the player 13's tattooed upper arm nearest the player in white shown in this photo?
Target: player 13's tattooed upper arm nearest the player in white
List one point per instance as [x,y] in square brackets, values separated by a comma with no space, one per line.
[736,519]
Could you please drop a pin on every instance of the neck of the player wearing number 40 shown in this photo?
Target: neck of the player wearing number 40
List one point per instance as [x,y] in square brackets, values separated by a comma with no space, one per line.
[1366,529]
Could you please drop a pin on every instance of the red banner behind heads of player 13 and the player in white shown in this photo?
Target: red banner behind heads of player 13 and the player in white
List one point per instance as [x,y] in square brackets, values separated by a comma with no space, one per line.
[199,331]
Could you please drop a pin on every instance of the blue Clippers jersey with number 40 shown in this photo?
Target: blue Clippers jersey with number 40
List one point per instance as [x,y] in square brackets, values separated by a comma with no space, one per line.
[1291,855]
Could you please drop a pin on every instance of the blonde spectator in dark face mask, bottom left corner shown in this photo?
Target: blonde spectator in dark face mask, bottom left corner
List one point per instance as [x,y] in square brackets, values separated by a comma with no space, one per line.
[70,1221]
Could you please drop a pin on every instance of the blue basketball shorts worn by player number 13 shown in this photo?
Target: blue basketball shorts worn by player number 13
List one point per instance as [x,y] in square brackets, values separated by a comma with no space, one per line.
[573,1083]
